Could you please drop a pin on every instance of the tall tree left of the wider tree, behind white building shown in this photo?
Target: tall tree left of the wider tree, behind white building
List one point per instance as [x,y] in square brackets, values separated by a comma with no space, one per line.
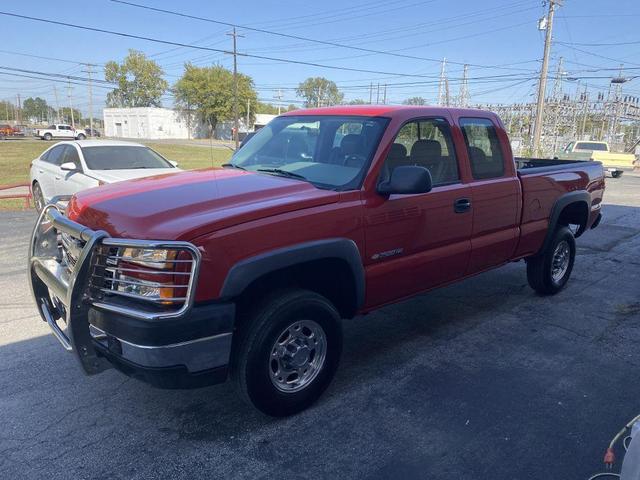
[139,80]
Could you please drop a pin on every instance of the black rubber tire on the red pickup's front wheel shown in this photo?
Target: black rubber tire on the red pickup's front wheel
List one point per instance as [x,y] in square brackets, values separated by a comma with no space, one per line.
[254,352]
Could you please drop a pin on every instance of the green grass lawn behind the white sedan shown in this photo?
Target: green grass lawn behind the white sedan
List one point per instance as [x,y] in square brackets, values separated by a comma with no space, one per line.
[16,157]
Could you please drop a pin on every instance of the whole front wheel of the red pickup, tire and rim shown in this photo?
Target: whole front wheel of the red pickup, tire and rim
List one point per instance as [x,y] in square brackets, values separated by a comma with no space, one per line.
[288,352]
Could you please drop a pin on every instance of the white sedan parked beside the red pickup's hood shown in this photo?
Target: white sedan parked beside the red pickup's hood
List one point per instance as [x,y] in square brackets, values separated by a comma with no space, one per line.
[69,167]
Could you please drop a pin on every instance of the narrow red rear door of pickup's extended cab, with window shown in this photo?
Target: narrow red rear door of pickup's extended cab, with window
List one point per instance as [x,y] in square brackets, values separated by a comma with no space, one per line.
[496,195]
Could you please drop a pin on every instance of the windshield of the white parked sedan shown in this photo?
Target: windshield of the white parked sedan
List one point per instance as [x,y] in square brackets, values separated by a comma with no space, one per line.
[122,158]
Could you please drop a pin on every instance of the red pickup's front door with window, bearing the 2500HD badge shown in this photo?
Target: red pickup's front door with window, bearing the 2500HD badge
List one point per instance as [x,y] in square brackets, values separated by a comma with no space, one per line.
[416,242]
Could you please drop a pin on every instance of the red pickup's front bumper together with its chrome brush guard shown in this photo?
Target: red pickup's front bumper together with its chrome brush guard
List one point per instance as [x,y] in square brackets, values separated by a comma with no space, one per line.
[185,347]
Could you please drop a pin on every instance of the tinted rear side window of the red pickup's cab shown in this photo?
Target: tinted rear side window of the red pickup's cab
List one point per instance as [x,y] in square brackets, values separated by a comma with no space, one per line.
[483,148]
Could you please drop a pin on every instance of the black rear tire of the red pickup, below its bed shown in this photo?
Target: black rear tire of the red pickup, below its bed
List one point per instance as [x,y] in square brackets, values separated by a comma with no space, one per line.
[542,276]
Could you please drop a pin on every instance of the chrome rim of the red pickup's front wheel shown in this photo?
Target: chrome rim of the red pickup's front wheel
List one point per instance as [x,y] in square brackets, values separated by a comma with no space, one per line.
[297,356]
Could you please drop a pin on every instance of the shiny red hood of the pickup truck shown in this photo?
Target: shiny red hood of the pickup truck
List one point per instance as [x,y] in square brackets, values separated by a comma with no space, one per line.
[182,206]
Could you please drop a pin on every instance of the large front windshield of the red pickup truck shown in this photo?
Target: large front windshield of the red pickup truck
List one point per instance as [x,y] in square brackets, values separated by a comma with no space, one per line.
[328,151]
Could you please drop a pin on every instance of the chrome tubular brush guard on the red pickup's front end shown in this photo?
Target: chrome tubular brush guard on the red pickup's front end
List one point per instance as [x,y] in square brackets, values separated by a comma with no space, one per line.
[73,269]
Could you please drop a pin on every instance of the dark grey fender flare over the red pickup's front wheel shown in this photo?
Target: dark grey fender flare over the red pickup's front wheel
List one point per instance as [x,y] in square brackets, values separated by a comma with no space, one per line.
[243,273]
